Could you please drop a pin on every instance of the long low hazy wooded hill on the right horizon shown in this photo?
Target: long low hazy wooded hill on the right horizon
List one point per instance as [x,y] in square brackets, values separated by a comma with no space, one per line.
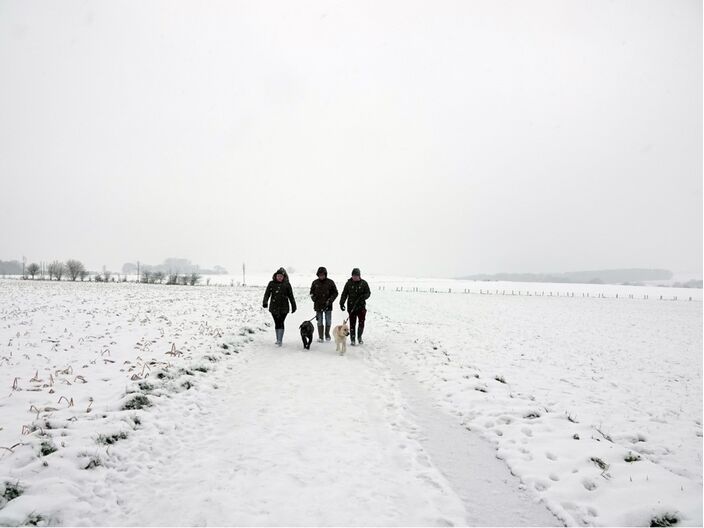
[619,276]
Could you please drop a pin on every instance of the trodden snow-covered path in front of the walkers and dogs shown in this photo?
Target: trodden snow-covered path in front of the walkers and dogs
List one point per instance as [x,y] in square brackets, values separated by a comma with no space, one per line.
[287,437]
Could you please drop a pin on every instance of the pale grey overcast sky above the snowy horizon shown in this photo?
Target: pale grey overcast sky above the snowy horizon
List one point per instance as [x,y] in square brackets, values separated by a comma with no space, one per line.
[433,138]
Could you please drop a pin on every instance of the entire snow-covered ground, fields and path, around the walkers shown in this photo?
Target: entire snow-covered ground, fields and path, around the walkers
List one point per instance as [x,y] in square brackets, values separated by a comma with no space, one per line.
[166,405]
